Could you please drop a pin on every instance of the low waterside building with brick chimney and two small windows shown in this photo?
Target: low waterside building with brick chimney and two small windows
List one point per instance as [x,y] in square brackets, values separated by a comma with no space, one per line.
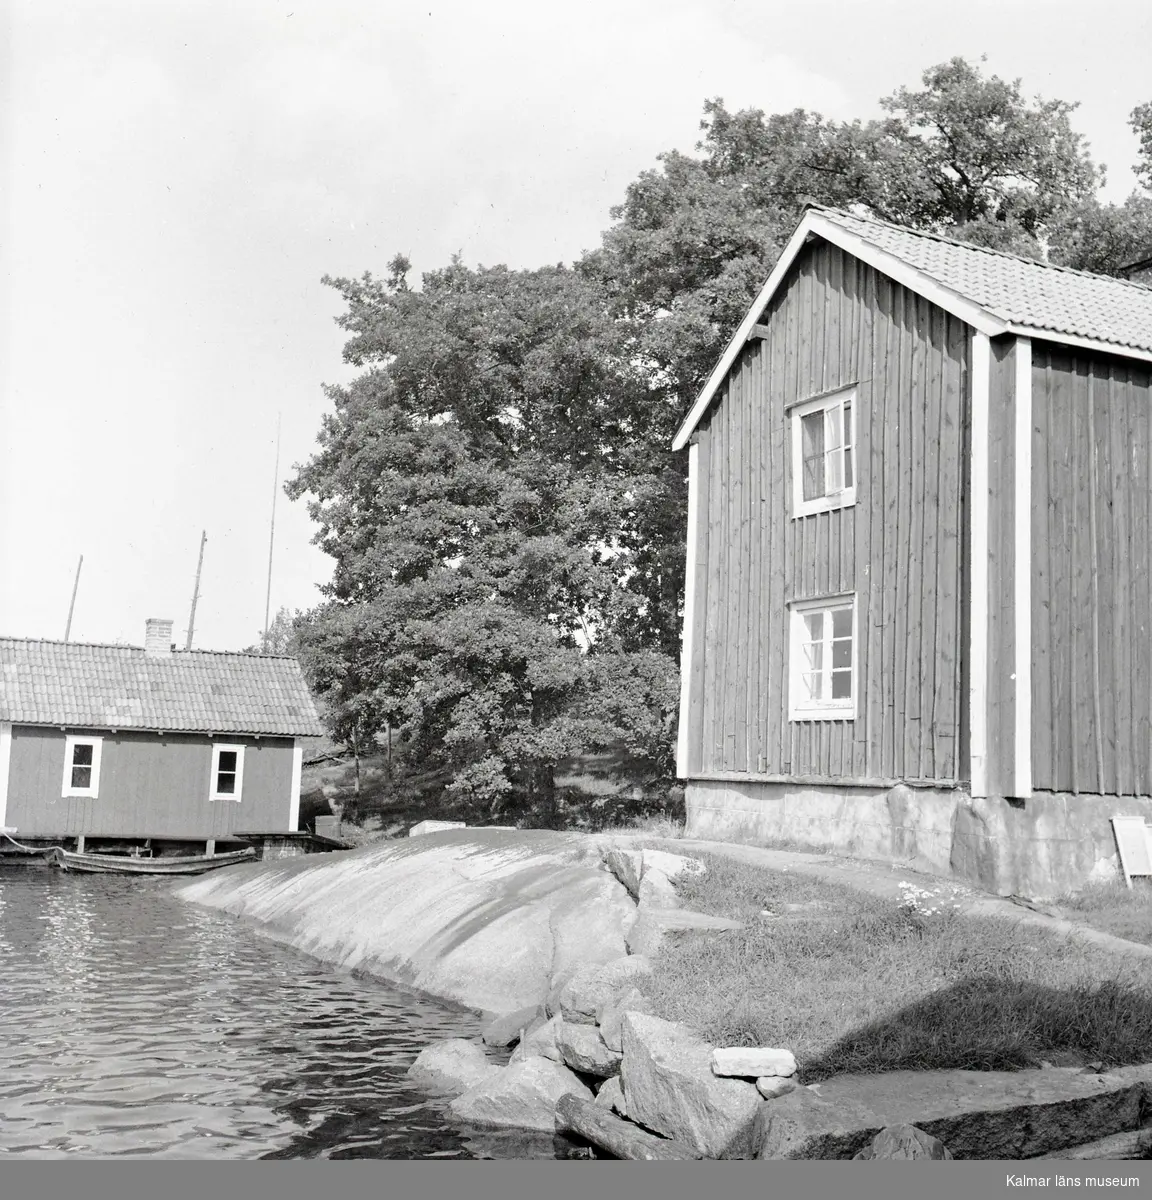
[104,745]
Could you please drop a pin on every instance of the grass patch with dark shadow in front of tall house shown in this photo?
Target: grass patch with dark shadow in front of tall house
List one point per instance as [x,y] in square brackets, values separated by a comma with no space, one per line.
[851,983]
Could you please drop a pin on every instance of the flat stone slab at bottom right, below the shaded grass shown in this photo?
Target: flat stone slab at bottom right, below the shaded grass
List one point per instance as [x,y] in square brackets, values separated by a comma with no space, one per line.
[976,1114]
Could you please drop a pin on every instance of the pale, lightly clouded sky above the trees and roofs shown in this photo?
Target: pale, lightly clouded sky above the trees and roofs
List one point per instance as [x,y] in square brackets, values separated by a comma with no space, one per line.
[177,178]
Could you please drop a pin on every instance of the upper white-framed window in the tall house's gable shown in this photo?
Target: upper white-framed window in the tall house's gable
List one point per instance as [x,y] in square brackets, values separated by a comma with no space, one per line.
[824,453]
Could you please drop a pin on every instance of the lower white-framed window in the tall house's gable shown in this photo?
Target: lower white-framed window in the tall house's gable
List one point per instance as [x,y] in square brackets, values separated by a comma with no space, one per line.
[823,661]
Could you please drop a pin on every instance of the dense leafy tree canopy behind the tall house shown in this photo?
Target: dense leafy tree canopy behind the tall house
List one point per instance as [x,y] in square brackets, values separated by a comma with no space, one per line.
[497,489]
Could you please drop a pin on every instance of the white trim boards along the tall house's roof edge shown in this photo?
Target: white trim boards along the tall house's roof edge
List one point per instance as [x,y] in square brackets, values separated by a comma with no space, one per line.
[817,224]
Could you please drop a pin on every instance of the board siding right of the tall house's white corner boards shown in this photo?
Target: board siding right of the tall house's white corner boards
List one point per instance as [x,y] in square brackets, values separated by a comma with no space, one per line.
[1091,561]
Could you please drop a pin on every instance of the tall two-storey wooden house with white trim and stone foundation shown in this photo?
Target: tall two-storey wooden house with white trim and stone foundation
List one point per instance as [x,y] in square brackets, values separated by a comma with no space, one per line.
[919,608]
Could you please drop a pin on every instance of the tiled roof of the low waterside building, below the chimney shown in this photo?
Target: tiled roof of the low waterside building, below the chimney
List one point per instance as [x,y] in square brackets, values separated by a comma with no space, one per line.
[123,688]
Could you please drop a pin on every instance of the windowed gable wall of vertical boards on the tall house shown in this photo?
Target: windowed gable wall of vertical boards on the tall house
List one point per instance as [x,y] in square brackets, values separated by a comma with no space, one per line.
[836,322]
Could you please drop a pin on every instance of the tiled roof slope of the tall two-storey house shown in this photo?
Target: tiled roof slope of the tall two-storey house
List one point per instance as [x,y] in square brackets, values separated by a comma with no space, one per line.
[1052,299]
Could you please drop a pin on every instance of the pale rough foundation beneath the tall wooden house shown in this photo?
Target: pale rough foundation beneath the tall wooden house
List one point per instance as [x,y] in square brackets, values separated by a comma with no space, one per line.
[1052,844]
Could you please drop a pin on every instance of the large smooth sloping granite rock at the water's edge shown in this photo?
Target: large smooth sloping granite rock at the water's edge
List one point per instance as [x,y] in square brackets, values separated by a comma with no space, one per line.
[487,919]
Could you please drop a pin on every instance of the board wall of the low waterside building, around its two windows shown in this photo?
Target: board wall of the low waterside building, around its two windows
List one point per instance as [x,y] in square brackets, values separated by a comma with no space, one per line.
[151,785]
